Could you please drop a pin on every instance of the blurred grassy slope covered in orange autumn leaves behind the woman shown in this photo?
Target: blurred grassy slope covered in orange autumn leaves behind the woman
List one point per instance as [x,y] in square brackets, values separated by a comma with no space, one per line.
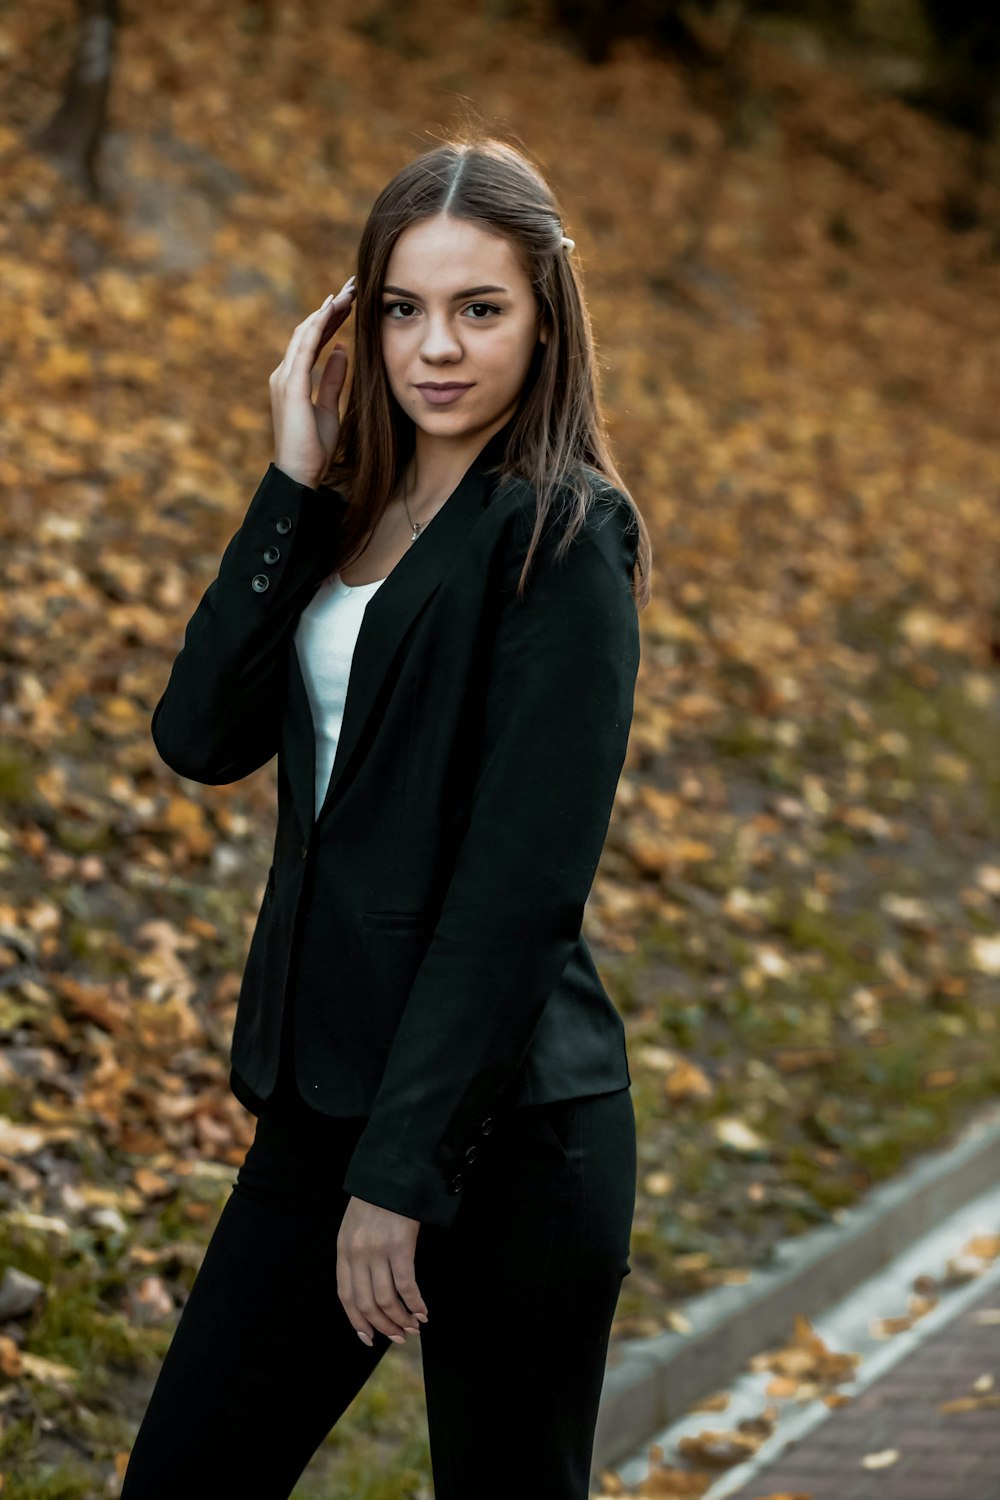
[788,218]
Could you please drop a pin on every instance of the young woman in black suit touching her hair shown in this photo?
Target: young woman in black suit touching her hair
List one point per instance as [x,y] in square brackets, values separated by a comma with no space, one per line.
[430,614]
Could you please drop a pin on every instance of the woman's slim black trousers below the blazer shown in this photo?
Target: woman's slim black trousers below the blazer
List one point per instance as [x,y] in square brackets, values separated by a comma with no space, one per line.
[521,1294]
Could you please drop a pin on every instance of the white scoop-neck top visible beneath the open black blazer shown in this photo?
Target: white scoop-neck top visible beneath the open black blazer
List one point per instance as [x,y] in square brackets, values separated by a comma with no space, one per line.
[326,637]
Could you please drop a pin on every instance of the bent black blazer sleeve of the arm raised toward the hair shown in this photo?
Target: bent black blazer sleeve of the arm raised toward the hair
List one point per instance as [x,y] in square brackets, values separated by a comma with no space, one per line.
[220,716]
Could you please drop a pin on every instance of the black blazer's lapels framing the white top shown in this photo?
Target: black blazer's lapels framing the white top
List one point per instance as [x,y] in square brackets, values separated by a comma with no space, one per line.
[389,614]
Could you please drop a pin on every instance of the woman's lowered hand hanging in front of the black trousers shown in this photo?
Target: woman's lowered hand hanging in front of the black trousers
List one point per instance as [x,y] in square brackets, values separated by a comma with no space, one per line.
[376,1271]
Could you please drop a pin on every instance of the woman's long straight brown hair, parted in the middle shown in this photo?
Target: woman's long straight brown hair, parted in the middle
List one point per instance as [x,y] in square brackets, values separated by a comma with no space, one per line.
[560,425]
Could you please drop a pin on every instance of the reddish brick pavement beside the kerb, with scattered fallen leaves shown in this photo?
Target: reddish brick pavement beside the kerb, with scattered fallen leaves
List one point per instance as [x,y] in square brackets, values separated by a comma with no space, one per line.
[942,1456]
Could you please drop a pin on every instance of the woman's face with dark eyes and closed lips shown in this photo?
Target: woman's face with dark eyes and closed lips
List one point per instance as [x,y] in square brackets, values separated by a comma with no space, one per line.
[457,308]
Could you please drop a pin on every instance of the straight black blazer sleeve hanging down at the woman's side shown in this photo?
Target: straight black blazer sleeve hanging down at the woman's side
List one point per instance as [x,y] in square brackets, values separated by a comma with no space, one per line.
[558,713]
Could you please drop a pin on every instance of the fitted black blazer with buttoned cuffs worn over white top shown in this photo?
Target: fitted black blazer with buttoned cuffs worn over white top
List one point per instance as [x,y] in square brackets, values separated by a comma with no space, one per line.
[427,925]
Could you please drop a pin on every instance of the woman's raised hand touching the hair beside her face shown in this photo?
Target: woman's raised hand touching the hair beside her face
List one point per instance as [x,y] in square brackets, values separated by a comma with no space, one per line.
[307,434]
